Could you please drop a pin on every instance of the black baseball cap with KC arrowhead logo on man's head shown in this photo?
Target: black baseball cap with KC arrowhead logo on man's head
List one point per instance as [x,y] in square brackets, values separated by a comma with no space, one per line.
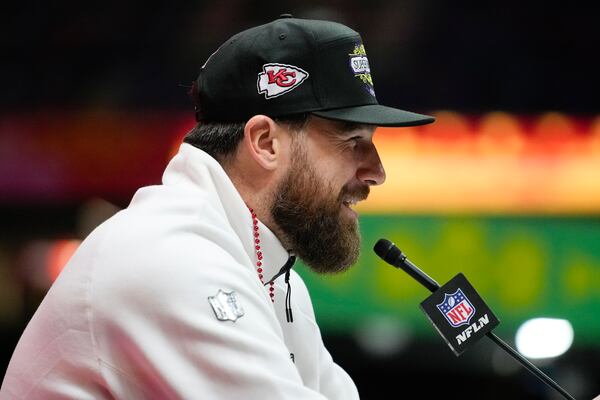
[291,66]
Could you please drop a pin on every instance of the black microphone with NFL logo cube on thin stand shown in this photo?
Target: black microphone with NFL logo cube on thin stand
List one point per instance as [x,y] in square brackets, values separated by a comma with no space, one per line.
[461,309]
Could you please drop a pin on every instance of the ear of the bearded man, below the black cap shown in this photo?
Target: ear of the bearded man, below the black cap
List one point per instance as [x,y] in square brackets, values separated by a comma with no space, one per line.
[264,140]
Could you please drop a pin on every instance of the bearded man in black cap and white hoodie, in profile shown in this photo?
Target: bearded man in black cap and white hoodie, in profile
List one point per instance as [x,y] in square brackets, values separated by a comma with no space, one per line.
[189,293]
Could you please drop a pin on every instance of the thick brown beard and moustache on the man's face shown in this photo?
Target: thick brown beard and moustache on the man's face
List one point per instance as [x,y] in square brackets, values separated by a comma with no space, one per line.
[308,215]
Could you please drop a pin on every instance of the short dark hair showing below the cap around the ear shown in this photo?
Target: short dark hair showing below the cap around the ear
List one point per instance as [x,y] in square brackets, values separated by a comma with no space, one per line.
[221,139]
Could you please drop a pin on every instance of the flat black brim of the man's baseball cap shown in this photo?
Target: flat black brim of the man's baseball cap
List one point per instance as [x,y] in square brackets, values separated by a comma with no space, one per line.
[376,114]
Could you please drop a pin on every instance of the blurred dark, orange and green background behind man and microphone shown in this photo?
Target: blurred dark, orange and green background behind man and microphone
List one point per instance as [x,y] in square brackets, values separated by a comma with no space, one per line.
[504,187]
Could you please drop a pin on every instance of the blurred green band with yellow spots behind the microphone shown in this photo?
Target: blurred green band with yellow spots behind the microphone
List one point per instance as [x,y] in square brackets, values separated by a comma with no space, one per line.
[523,267]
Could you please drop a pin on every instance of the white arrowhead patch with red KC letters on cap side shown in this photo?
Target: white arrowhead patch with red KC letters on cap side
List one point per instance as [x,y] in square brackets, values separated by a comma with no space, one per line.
[278,79]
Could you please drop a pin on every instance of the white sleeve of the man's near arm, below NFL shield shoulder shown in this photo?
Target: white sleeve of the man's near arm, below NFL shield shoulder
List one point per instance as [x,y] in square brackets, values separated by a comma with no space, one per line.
[157,336]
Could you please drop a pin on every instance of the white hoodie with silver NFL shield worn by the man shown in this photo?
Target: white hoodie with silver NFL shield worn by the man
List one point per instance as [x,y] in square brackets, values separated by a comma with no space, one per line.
[130,317]
